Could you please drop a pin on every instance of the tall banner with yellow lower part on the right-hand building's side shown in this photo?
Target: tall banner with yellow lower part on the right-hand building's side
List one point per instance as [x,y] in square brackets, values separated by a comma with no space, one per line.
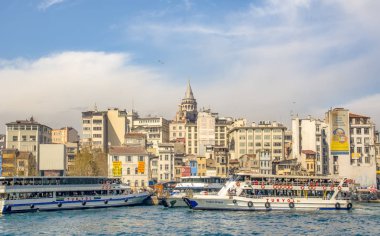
[340,132]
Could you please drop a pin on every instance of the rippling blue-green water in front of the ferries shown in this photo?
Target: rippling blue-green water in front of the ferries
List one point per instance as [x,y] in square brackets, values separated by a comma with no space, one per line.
[156,220]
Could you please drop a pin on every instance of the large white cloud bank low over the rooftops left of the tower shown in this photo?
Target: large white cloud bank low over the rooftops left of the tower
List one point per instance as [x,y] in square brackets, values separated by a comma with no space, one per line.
[56,88]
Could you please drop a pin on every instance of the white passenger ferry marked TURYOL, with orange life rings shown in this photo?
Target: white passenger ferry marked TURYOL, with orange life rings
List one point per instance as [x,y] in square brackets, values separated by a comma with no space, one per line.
[247,192]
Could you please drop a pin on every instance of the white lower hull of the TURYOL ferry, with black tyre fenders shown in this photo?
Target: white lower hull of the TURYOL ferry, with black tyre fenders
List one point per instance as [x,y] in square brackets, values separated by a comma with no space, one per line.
[265,204]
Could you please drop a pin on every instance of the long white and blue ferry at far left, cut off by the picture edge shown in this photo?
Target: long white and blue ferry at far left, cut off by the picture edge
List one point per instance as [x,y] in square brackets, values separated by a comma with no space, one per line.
[24,194]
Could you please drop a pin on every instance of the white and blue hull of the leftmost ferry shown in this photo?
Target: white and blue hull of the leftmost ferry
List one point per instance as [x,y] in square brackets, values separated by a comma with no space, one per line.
[48,204]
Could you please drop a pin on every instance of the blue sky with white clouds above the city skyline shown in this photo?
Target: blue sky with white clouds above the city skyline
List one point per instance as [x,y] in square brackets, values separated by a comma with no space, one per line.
[259,60]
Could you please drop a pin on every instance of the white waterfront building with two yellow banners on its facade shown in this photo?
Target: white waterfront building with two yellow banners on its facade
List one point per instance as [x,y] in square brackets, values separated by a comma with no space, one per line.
[131,163]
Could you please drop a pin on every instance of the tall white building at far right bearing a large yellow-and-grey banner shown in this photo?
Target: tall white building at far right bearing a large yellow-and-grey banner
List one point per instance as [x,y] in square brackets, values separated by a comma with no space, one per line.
[352,152]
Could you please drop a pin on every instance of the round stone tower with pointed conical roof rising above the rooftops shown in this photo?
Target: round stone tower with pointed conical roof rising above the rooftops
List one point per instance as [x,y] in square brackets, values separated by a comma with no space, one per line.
[187,110]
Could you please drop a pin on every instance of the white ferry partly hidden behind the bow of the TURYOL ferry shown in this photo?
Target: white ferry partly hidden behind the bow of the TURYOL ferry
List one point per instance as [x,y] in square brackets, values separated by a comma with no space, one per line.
[206,185]
